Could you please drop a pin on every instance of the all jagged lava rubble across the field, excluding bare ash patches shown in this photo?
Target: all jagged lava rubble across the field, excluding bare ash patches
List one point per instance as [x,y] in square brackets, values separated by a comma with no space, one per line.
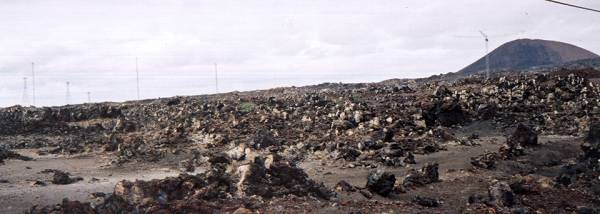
[250,142]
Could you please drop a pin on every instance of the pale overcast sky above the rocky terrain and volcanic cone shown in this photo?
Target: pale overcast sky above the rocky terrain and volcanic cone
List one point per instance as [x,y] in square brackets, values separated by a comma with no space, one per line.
[257,44]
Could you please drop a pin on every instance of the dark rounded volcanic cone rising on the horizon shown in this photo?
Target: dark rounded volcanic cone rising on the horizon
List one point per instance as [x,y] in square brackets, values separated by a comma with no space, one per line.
[525,54]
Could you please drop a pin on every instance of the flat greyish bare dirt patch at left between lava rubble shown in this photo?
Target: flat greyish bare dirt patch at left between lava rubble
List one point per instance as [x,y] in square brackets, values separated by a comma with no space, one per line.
[19,194]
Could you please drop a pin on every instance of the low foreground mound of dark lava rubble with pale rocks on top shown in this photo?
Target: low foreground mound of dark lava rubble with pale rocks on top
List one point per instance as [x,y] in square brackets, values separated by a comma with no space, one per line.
[226,186]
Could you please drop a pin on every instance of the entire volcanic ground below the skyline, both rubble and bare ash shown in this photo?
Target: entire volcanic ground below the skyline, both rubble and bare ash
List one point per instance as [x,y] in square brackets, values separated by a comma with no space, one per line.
[513,143]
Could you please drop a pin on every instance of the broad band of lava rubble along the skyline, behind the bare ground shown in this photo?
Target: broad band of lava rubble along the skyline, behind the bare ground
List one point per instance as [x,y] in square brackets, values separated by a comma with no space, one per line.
[354,121]
